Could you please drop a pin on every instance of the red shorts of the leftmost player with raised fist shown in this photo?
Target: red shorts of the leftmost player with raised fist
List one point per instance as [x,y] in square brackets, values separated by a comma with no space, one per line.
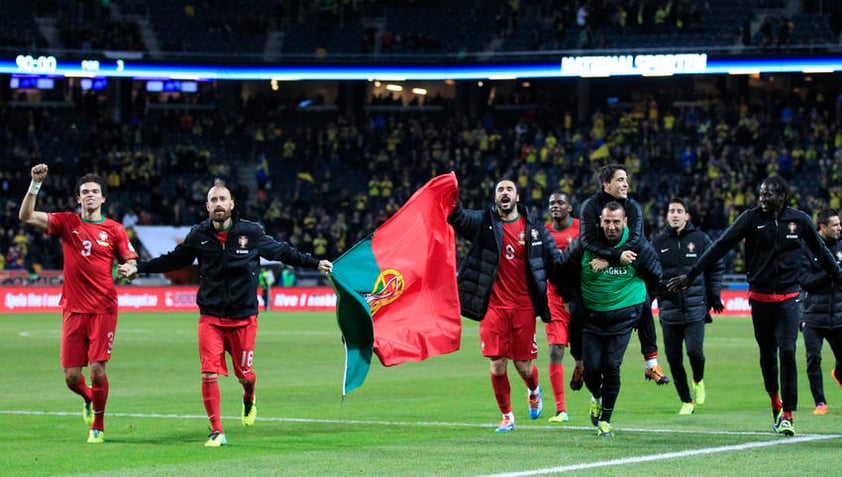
[86,338]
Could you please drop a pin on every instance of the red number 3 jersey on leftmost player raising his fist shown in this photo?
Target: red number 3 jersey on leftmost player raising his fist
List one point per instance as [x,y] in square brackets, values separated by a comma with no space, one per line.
[90,249]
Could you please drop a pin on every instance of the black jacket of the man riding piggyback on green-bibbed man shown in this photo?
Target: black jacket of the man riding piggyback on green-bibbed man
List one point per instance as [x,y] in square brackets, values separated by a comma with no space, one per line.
[592,235]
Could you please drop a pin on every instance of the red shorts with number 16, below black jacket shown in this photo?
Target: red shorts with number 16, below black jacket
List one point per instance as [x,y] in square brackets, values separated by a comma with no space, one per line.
[220,335]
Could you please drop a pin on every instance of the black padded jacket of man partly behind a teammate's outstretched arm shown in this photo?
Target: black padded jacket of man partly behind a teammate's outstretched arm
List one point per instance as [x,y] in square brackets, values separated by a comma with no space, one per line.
[678,251]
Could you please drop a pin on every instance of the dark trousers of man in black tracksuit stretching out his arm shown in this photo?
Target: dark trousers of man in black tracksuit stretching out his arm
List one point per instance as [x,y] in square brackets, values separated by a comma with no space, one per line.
[776,331]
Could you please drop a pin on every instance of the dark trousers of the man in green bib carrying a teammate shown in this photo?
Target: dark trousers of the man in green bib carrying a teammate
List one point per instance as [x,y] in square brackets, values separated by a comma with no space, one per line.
[603,350]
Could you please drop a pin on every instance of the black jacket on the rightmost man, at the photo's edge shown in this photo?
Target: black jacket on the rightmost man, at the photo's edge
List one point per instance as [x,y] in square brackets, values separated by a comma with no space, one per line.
[822,297]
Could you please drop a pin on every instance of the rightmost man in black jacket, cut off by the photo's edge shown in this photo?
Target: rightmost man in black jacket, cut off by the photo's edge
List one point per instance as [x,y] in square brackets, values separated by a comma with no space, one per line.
[822,318]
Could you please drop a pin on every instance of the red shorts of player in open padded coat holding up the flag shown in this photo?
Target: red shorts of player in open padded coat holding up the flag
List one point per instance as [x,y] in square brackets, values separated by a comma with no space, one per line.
[509,333]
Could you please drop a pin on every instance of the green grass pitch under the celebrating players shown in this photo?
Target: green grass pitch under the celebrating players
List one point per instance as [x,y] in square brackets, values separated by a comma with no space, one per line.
[431,418]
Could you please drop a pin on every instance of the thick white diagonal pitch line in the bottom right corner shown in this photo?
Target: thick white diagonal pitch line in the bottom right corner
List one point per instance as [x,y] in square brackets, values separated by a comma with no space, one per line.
[668,455]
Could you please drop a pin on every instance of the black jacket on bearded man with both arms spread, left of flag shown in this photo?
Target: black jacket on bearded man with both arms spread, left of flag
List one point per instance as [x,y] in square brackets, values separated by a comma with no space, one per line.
[227,274]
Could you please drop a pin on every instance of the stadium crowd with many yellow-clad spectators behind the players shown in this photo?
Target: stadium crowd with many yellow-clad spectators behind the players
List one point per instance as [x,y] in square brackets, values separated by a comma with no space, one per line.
[325,183]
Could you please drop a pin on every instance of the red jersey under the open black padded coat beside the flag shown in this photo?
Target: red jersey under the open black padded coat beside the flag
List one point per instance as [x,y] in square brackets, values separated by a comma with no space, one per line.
[510,289]
